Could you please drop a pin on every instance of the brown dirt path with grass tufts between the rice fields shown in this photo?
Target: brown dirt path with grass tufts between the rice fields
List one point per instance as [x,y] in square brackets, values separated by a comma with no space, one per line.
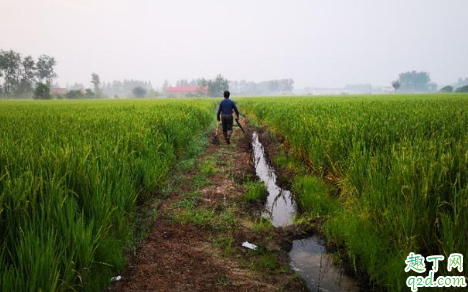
[195,242]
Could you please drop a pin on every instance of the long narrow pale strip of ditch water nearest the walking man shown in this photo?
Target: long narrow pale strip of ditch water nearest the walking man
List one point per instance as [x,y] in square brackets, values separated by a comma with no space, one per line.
[280,207]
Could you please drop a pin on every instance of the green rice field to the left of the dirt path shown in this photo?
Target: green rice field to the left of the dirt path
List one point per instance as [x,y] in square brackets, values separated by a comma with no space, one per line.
[70,176]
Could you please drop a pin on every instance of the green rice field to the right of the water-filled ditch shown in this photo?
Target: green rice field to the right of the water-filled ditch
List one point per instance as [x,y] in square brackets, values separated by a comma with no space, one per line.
[397,167]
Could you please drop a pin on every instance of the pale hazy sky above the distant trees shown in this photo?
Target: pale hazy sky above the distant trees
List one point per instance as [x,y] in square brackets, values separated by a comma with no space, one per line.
[317,43]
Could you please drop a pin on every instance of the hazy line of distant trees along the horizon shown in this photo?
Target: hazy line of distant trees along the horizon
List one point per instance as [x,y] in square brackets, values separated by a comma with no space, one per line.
[25,77]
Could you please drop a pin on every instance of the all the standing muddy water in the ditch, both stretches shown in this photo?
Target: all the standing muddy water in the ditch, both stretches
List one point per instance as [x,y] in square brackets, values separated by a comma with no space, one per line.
[309,257]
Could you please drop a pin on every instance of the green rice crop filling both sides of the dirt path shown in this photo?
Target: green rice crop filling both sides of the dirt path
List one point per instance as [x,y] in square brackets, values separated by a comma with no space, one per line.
[387,175]
